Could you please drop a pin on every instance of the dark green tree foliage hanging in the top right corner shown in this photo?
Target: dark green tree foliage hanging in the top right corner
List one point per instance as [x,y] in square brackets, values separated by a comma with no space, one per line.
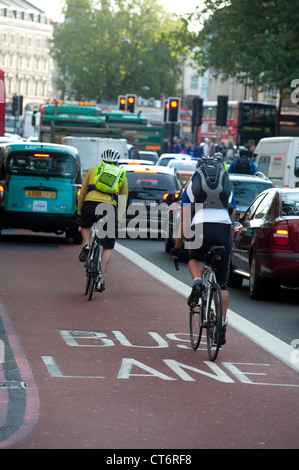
[252,40]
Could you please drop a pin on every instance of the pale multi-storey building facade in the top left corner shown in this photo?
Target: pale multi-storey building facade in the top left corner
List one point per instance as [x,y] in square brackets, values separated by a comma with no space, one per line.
[25,35]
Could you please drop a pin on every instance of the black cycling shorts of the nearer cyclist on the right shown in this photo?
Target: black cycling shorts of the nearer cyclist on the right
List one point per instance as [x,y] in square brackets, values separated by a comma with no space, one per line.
[215,234]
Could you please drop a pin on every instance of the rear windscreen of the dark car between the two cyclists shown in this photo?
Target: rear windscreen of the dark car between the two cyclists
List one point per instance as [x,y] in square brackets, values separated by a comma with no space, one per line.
[150,180]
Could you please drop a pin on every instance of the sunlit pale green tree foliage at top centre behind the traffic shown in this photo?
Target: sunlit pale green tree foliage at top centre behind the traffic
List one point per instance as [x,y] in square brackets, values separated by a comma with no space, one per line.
[106,48]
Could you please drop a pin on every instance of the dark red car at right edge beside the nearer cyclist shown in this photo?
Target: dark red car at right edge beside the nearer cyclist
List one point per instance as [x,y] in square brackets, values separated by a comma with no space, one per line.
[266,243]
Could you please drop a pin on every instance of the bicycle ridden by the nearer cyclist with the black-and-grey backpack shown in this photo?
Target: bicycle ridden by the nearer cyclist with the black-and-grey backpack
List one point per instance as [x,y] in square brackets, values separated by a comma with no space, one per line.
[207,314]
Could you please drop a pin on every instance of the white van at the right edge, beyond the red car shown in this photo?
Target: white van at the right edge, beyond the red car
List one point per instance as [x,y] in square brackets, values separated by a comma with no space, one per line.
[278,159]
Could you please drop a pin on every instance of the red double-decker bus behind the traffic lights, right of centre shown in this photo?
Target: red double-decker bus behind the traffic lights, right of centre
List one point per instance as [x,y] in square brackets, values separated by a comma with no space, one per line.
[245,120]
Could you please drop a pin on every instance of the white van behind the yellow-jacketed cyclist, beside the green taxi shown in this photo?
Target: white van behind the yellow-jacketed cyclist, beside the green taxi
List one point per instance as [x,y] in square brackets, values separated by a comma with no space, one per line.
[91,148]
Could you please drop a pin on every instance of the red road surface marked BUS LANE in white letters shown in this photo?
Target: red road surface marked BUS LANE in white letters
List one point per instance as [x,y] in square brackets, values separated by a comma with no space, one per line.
[119,372]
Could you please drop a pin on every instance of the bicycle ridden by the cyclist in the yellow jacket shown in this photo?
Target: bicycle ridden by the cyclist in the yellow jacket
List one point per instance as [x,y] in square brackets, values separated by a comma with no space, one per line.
[94,261]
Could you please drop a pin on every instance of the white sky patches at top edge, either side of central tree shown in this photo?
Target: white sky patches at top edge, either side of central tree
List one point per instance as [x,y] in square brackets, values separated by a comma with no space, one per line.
[53,7]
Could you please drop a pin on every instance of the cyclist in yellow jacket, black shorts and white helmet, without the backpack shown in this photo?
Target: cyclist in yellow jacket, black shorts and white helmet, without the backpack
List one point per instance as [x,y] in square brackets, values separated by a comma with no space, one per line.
[90,197]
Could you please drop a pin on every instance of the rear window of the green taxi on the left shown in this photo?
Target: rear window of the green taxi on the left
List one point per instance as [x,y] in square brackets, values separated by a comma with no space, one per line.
[41,163]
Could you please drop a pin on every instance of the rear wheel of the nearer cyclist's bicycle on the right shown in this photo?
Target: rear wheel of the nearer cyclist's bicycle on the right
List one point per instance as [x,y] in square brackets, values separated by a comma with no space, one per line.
[214,322]
